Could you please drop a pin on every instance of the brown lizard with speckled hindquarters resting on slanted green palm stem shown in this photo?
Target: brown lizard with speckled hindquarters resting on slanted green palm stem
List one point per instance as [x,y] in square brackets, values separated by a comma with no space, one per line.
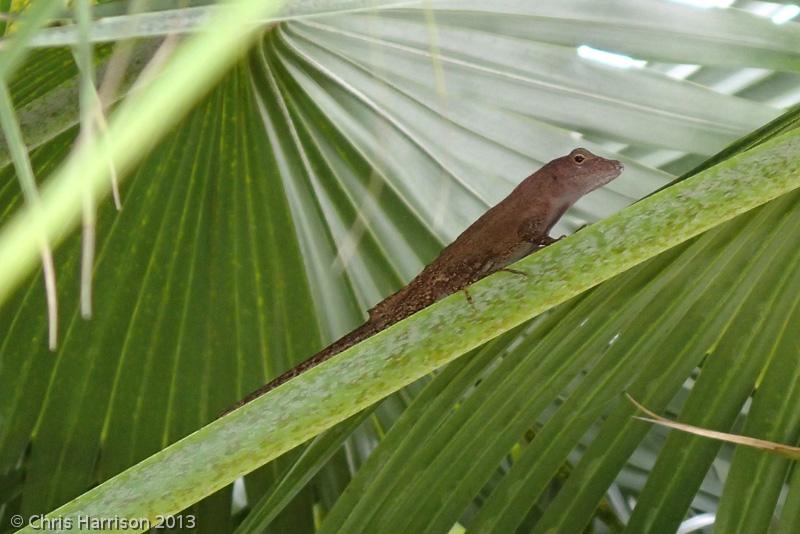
[514,228]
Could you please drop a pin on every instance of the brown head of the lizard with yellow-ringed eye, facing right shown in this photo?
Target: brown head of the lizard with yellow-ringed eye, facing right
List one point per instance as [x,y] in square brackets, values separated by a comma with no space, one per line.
[580,171]
